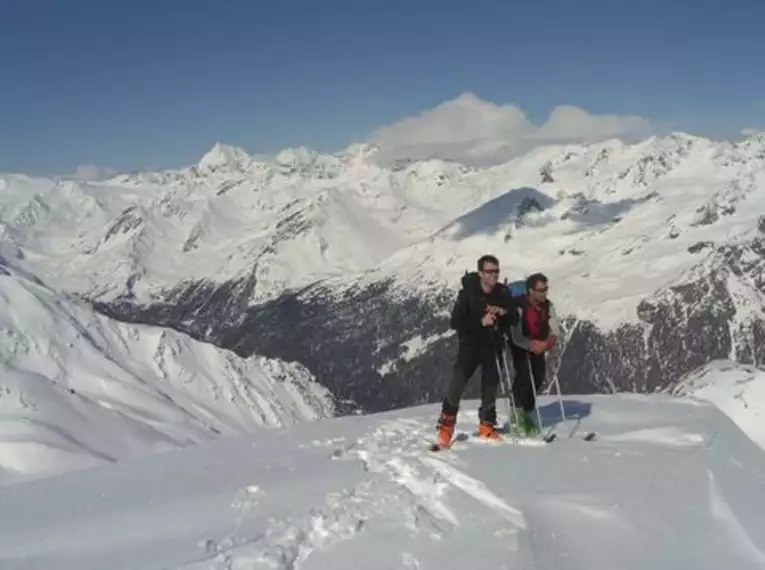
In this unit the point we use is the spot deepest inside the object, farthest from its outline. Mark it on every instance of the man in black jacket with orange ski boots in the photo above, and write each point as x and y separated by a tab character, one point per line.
482	316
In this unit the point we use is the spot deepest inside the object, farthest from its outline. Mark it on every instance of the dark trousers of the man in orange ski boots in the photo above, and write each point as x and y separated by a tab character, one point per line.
468	360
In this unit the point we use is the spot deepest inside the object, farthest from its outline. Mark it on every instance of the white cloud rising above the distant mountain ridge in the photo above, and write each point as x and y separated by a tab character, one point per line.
479	132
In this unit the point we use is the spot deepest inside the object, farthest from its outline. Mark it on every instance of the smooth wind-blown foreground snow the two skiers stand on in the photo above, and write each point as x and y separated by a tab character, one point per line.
670	483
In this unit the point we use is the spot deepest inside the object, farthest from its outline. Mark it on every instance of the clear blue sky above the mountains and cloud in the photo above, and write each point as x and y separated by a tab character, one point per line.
145	84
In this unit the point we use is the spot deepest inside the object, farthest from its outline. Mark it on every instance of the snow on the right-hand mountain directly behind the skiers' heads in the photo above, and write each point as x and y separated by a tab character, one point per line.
607	242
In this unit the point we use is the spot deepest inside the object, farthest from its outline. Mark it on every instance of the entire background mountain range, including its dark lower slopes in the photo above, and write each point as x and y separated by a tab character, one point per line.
654	250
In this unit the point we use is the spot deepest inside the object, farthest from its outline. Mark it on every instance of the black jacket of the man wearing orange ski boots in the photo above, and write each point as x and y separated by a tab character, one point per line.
470	308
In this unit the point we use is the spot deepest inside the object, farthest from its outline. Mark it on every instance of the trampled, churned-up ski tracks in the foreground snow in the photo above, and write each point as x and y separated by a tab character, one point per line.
403	483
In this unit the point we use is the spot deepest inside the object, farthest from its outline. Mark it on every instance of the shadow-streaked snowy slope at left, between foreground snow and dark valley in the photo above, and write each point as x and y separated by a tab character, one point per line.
78	389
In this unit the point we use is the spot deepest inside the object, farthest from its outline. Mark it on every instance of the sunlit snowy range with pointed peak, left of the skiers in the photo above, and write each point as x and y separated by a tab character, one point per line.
266	225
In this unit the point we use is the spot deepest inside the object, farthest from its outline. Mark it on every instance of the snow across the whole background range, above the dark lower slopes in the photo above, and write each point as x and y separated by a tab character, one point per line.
619	220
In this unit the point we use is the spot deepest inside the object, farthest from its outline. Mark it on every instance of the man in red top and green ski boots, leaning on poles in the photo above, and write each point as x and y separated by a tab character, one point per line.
533	333
